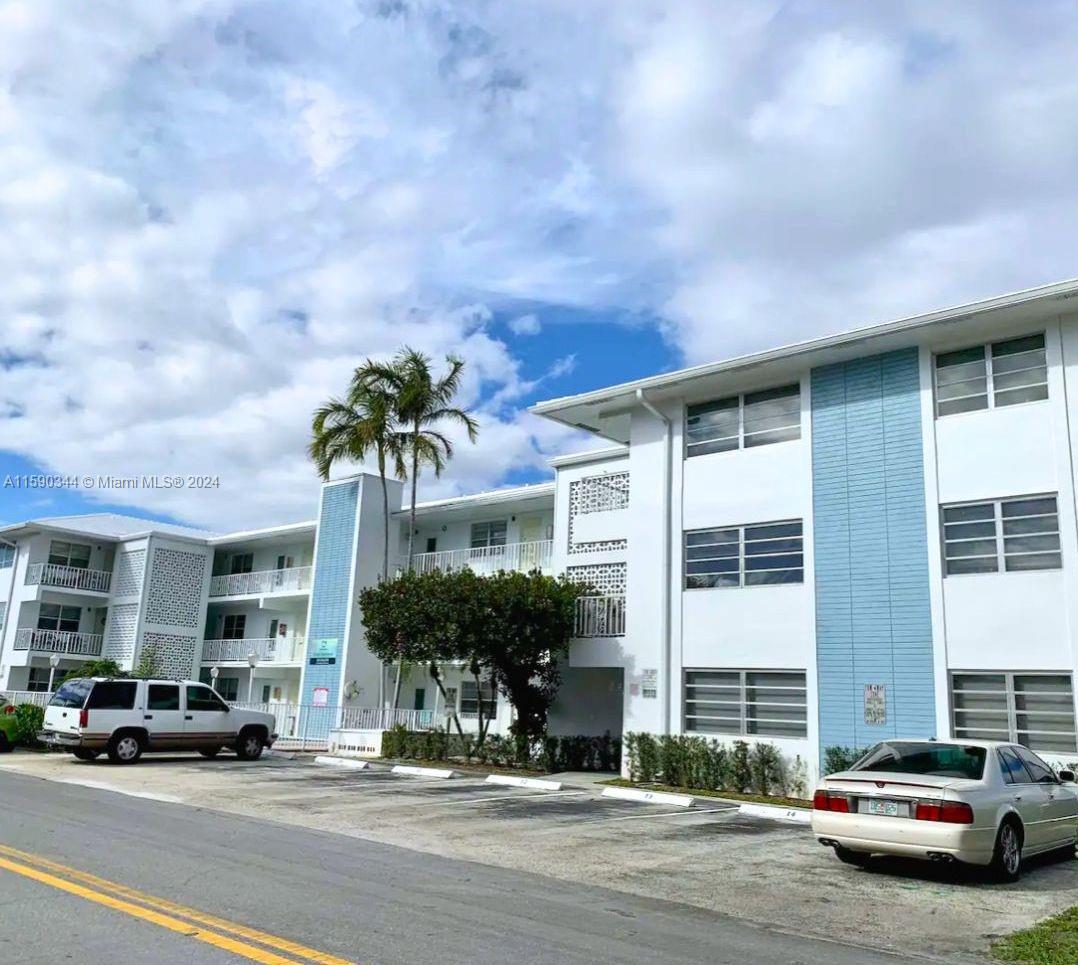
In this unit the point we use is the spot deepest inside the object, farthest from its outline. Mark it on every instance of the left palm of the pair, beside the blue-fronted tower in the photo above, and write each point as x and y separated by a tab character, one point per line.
353	429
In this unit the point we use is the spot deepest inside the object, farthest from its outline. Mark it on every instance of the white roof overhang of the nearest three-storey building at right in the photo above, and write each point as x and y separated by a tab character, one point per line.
606	412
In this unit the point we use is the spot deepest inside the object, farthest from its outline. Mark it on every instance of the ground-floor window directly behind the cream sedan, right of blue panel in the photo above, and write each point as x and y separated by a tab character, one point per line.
1034	710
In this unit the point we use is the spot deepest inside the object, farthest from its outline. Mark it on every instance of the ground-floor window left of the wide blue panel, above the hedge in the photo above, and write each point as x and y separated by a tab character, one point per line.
771	704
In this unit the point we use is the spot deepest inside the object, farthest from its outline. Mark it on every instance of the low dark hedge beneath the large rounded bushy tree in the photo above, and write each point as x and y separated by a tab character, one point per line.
551	754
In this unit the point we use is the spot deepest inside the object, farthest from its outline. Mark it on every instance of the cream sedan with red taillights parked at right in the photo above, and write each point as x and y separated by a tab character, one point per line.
983	803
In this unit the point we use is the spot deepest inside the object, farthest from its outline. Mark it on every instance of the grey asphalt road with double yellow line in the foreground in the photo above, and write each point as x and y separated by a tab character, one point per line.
311	892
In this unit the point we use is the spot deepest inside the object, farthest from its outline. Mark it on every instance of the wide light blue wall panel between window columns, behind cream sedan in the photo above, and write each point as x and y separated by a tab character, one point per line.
873	613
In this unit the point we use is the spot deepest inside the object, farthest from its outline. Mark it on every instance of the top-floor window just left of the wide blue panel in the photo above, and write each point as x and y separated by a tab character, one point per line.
743	422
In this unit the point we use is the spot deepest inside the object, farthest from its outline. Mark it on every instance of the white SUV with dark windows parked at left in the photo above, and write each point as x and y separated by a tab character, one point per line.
125	719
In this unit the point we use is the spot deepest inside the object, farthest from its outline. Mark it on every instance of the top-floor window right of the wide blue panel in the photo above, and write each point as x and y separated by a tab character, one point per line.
1003	374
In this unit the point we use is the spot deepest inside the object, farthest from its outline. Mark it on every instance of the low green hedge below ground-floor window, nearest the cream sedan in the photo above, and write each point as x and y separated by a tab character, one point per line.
690	762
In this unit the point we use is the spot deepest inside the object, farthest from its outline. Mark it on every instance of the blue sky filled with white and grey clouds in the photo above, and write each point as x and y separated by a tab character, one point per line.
214	210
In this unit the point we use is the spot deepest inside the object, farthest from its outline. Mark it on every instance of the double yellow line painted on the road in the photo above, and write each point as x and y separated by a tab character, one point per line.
232	938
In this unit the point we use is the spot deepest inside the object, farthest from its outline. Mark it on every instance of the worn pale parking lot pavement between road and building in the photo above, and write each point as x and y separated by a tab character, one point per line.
710	856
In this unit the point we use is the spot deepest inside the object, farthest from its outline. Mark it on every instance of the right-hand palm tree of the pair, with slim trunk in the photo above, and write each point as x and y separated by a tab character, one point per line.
423	405
